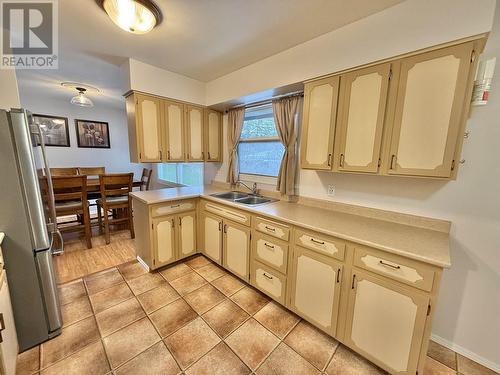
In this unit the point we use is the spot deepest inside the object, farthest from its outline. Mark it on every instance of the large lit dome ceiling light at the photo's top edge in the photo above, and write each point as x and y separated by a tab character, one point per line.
134	16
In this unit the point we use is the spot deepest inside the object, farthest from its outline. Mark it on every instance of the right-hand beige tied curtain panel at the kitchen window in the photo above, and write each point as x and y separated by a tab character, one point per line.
286	121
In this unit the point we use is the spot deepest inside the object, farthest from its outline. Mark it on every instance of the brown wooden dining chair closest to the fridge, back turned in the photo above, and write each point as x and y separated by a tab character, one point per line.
70	196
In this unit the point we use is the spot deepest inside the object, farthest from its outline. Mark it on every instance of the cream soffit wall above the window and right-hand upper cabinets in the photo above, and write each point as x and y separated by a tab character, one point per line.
406	27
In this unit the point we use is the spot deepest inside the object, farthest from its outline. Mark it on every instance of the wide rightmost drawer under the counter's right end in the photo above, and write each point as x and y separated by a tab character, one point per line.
408	271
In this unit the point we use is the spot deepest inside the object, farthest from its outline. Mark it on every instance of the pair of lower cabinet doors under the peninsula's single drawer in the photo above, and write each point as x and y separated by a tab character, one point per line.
174	237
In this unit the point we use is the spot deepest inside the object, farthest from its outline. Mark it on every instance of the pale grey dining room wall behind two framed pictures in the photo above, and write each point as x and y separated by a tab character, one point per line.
116	159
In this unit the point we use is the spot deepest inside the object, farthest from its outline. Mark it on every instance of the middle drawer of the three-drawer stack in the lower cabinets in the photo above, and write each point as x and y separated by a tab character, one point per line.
270	251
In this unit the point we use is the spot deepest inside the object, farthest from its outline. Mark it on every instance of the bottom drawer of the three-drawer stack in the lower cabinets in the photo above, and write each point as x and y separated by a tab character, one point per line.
269	281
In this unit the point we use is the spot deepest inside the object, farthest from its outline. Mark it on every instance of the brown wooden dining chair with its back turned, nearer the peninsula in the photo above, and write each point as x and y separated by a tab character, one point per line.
115	189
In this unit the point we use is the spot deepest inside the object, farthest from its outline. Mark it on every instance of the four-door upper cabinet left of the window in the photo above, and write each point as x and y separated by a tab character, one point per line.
162	130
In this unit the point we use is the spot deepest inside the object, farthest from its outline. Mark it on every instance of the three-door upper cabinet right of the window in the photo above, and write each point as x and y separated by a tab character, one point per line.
402	117
